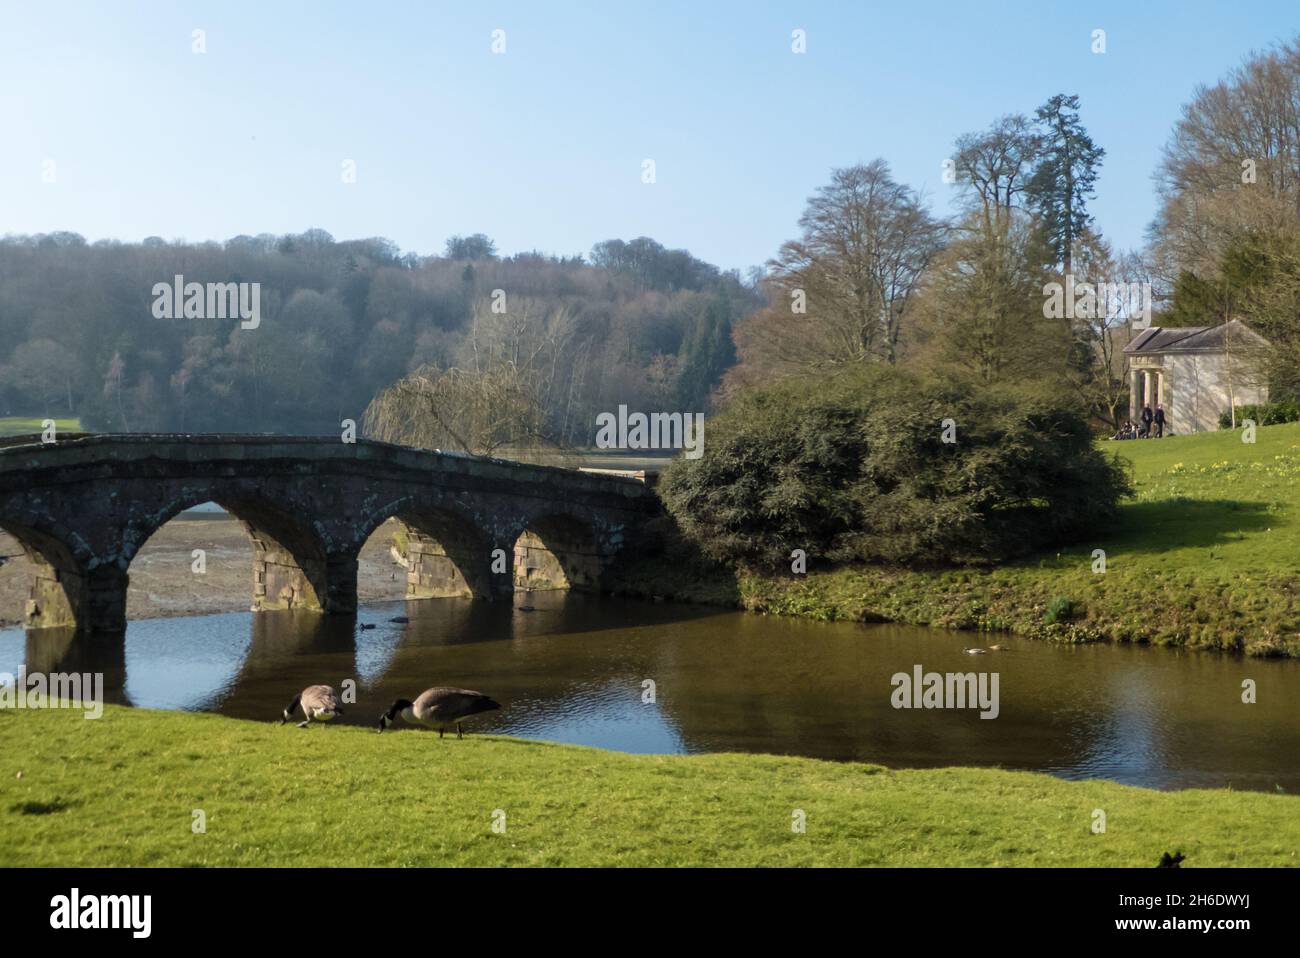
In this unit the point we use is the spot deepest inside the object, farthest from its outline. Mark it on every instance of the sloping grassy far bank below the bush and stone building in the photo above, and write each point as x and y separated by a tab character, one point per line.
1207	554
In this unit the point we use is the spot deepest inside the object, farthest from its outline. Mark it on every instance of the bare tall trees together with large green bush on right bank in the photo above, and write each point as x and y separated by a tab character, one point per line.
918	391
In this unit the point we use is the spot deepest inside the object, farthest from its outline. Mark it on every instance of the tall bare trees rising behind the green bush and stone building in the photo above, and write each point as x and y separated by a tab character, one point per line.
877	278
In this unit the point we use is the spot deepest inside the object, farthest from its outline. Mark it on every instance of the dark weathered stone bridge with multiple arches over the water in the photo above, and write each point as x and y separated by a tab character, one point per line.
83	508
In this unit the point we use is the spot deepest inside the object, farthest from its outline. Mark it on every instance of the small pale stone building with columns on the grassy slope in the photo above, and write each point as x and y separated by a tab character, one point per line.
1195	372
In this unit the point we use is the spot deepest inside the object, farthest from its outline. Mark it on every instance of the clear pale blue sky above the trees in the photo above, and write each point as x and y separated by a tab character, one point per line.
541	148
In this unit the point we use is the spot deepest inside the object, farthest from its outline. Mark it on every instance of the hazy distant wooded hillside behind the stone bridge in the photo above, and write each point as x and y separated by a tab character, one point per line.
340	322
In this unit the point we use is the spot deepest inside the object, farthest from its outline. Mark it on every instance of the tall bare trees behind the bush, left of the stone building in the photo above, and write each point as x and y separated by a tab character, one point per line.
877	278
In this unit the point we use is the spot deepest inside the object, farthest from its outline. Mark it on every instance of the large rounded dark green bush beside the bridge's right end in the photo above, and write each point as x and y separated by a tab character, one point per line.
853	467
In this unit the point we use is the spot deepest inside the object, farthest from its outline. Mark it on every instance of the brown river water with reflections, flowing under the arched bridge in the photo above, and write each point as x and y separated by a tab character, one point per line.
574	669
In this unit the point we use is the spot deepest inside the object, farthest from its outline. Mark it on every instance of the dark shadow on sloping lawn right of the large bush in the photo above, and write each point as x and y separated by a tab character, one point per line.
1169	524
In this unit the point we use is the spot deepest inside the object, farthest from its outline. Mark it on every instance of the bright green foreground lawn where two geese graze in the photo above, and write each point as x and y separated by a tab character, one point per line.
123	792
